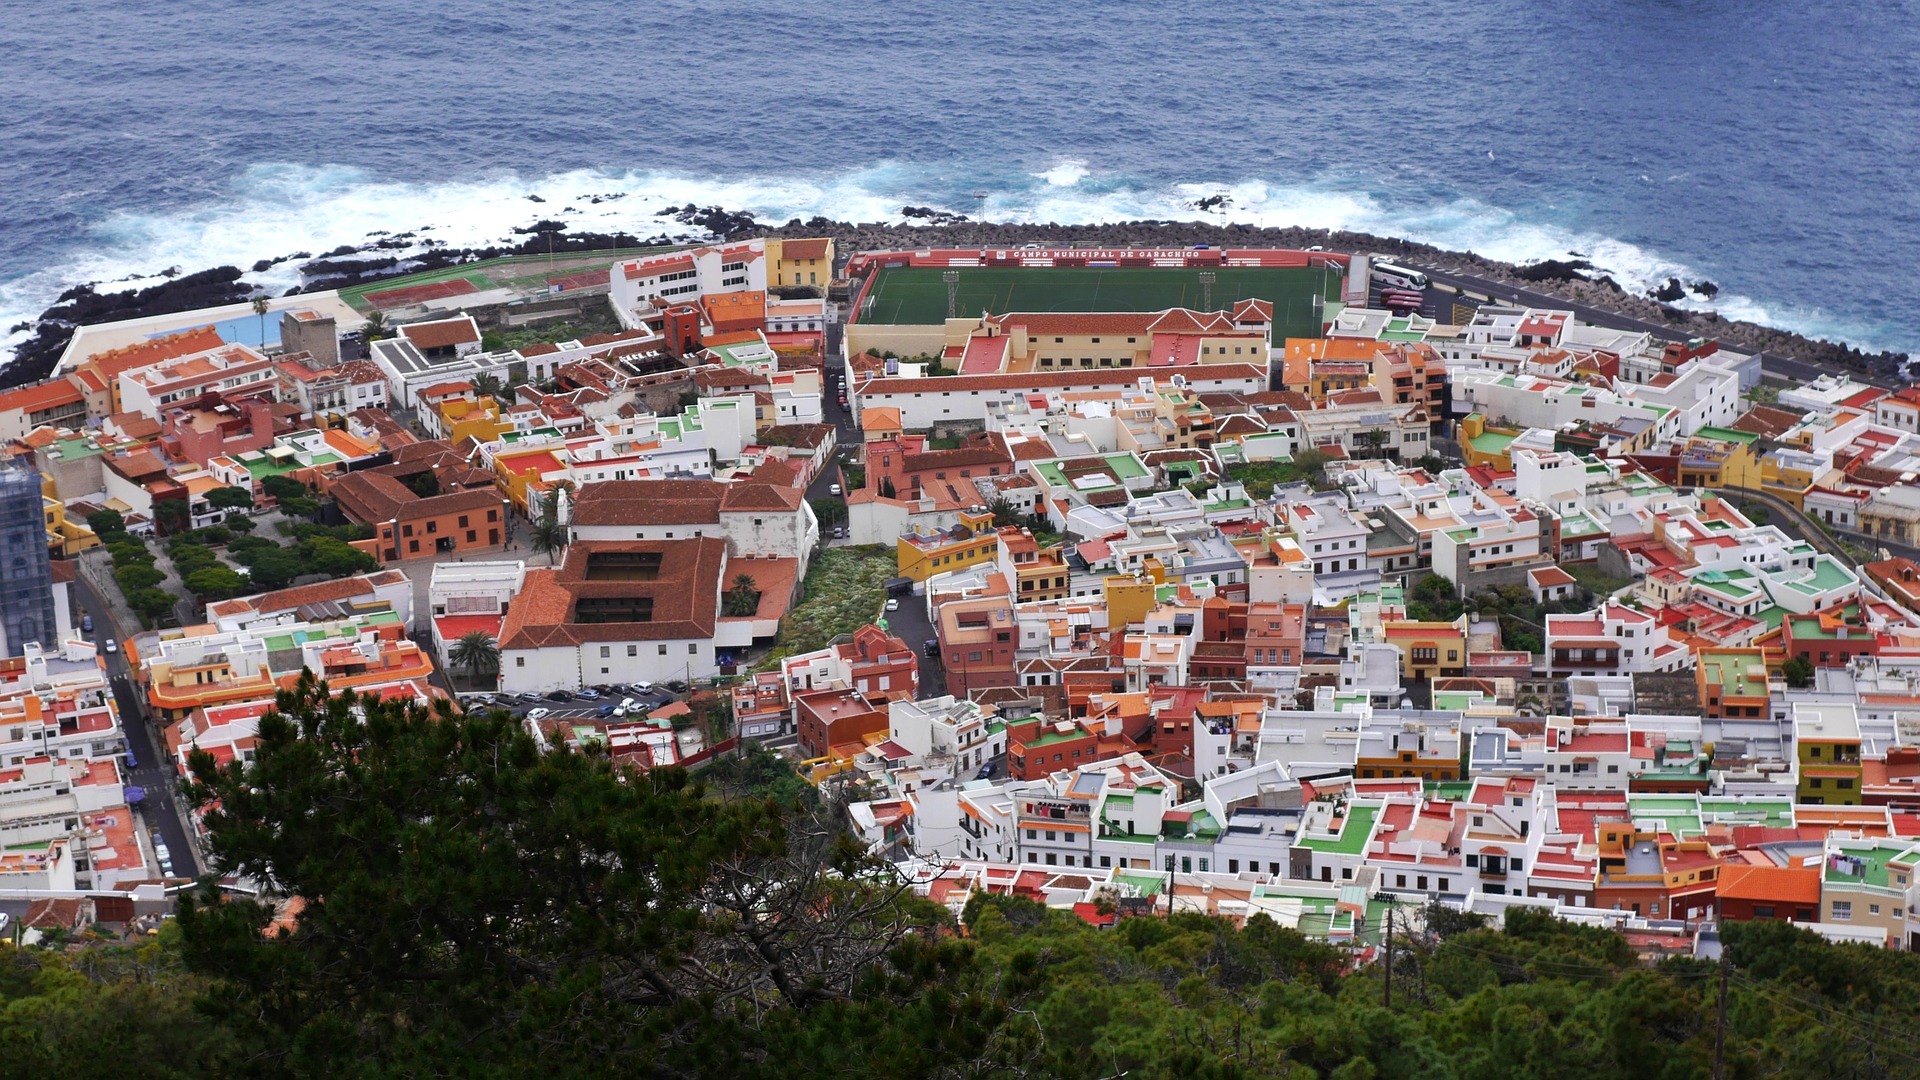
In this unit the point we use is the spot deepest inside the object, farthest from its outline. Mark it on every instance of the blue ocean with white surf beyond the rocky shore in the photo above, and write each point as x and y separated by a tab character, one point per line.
1771	149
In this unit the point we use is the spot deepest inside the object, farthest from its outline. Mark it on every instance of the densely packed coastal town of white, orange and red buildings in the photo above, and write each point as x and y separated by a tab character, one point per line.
1130	581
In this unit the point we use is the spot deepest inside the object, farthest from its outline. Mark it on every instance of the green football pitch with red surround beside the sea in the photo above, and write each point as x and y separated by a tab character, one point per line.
919	295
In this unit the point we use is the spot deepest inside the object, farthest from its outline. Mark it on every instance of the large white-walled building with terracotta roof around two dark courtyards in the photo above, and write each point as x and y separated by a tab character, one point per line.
617	612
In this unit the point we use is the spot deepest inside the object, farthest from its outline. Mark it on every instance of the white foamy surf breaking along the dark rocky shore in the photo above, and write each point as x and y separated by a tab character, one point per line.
279	209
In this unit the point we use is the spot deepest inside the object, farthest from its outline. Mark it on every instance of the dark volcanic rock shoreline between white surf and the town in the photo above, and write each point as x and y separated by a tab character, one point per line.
923	228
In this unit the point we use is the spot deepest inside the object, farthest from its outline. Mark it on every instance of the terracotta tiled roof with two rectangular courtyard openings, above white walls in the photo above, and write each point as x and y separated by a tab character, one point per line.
684	593
